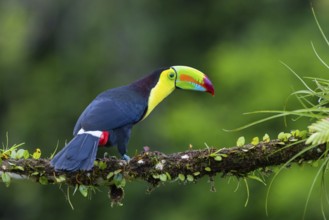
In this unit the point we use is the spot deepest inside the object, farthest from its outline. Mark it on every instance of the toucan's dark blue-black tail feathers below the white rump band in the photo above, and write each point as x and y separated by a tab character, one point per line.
78	154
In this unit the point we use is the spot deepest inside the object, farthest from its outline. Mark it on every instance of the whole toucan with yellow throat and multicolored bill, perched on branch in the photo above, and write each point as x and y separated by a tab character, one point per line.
109	118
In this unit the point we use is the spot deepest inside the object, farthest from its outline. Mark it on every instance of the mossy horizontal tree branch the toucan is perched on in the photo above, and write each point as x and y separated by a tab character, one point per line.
156	167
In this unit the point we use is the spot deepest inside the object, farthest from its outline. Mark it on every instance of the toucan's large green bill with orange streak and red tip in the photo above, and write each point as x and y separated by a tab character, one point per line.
192	79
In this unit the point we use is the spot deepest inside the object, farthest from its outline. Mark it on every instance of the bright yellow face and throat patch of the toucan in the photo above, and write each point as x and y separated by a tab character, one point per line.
161	90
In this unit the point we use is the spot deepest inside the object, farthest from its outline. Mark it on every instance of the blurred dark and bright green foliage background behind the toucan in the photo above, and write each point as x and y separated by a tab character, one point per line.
56	56
